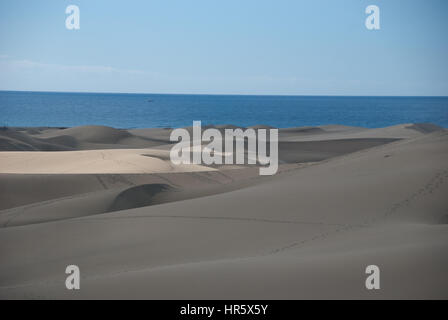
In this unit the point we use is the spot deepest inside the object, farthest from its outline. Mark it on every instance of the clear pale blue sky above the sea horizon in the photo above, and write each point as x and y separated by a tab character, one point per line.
275	47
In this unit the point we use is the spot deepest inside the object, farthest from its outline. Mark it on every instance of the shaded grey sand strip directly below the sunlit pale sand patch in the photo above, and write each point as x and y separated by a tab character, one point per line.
17	190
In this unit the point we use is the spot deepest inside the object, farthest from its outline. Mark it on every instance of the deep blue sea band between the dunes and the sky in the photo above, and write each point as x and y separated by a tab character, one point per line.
171	110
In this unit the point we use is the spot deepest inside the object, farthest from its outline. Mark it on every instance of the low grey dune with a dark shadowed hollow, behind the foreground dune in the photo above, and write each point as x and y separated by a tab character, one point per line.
117	198
